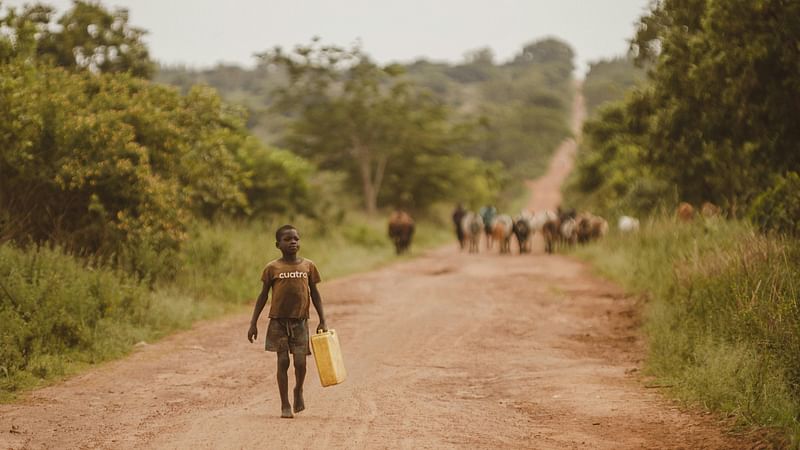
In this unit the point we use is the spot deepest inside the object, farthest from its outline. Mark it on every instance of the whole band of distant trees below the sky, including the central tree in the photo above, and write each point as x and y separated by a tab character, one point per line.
496	118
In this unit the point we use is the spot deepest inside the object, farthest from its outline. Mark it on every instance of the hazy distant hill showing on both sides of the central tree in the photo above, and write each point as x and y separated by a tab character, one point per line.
517	111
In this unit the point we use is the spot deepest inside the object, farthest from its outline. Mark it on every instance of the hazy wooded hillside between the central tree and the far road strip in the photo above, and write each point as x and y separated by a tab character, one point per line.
518	110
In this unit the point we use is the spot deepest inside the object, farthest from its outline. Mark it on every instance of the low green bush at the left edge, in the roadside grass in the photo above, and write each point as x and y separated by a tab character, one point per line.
53	307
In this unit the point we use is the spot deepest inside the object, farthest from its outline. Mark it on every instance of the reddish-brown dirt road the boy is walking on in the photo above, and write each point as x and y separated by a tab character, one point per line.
448	350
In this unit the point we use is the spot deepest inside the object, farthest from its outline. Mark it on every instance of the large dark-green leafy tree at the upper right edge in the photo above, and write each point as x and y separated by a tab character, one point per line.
716	121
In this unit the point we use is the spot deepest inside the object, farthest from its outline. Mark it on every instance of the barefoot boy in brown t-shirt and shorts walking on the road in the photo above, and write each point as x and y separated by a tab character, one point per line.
293	281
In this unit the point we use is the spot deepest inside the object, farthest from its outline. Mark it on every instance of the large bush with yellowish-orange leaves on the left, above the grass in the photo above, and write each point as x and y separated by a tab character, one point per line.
112	165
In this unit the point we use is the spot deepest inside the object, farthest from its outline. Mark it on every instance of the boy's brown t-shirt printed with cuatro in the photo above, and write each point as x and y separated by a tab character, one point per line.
291	294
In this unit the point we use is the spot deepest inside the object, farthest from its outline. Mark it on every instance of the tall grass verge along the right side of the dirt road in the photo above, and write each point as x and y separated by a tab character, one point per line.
722	315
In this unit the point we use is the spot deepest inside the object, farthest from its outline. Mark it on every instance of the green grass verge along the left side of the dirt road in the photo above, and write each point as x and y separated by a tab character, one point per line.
59	313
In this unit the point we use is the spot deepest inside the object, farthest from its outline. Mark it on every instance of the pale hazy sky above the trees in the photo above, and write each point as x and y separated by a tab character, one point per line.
202	33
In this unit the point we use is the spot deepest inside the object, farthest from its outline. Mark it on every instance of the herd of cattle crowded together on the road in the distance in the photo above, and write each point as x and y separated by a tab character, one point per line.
559	229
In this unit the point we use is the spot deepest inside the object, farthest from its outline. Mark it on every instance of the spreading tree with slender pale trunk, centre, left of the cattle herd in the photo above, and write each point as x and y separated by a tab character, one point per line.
353	115
